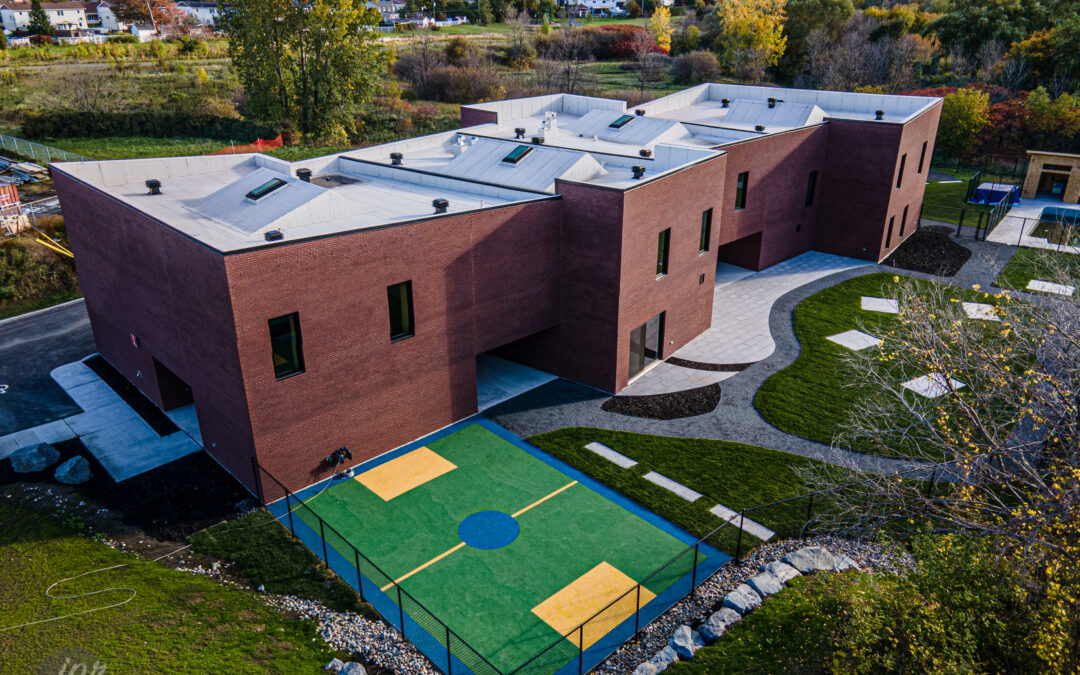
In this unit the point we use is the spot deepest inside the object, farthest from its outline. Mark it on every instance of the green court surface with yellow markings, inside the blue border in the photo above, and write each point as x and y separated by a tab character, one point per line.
488	597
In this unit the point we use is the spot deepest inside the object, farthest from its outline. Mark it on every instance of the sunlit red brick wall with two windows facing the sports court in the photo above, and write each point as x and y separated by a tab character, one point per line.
479	280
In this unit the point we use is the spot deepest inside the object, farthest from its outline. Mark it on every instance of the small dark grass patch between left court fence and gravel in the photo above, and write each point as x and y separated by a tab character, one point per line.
267	555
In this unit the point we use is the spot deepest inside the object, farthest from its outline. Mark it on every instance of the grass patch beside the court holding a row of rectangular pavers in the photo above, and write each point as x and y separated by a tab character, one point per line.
734	475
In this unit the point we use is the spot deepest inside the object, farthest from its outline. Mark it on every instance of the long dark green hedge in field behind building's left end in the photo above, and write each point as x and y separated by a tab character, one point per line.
153	124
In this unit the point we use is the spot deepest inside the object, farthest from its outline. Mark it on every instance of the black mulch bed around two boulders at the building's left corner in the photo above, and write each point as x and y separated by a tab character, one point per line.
169	503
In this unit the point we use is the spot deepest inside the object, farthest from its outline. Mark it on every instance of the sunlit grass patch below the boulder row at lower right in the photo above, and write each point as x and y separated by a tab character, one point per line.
793	632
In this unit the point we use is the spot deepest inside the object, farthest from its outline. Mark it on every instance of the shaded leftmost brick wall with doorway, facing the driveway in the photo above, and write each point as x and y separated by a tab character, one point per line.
144	279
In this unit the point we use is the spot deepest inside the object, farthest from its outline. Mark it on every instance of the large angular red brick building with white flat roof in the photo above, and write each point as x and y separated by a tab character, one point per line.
344	301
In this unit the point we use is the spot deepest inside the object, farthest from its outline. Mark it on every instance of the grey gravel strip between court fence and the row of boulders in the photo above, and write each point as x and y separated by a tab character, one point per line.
869	557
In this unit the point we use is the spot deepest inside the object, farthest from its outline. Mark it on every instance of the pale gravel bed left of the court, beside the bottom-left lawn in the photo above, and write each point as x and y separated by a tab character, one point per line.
374	642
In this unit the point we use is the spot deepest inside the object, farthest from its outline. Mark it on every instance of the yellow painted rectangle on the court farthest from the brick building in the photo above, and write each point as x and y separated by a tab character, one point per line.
586	597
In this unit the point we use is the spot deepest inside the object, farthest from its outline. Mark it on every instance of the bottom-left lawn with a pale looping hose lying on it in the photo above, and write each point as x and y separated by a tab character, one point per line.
177	623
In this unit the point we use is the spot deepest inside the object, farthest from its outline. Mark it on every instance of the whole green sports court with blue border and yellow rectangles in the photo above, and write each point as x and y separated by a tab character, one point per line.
508	547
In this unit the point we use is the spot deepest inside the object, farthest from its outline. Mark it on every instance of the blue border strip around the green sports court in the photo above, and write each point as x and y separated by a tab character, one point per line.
433	646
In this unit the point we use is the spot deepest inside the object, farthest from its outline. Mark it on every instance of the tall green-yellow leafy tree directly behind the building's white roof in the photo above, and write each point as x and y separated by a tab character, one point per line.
315	63
